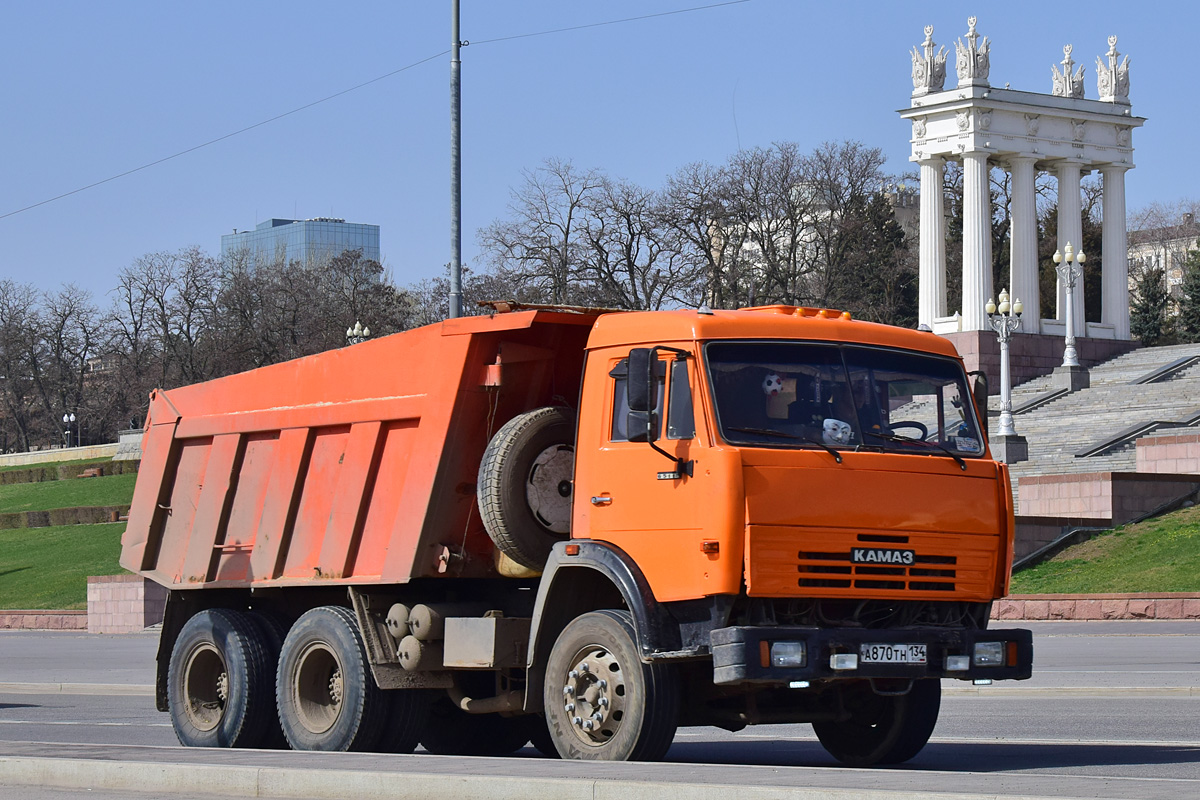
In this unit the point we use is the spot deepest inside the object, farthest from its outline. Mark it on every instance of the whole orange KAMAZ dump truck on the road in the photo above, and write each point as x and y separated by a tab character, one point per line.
580	530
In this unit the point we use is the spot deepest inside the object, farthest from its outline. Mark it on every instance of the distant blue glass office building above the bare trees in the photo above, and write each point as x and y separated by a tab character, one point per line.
309	242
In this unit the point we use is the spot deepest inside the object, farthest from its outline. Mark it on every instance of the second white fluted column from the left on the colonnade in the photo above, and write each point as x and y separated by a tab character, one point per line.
976	242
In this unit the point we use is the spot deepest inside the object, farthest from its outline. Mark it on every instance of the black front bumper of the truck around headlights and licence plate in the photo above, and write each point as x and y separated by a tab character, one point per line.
741	654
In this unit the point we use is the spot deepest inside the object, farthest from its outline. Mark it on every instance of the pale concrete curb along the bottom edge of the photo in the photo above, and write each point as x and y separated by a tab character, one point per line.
338	785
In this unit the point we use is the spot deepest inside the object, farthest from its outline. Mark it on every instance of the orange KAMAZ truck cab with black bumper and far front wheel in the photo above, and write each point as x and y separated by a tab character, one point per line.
809	504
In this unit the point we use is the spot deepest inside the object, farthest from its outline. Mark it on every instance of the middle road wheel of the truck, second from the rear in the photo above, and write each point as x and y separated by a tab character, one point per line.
327	697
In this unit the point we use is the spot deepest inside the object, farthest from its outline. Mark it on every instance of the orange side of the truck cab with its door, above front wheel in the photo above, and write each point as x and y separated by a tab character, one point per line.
674	526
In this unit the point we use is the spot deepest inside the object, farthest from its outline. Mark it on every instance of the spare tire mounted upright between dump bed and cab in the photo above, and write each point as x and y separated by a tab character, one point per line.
526	484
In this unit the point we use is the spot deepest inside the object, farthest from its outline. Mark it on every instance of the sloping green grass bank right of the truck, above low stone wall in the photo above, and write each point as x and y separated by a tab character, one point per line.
1161	555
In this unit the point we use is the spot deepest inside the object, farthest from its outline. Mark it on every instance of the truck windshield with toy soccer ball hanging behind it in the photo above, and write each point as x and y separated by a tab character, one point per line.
807	395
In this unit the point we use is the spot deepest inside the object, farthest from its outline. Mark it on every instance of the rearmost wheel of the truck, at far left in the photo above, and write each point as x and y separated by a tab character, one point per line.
219	682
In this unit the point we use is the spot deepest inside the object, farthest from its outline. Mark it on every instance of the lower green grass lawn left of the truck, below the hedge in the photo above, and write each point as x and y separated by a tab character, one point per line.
49	568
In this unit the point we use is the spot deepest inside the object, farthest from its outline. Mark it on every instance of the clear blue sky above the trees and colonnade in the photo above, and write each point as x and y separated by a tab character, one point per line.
92	91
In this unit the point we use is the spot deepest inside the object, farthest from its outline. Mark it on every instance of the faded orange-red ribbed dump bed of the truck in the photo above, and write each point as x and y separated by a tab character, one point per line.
355	466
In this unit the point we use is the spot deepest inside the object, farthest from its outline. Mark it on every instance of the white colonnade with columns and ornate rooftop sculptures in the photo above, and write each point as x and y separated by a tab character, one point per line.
1064	135
